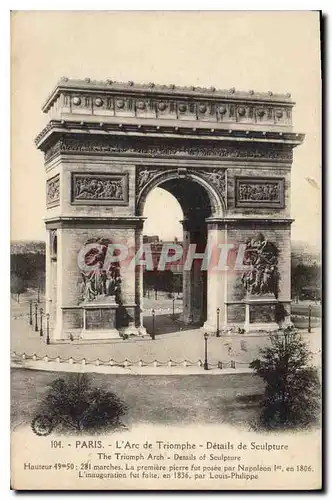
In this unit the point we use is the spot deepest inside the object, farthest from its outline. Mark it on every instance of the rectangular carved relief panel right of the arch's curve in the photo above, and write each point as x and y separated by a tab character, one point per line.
259	192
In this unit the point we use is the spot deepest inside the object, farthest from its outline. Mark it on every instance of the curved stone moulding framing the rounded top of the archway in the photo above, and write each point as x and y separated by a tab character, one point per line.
215	196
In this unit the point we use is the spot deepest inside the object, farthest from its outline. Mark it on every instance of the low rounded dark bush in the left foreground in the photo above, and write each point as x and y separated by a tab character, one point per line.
79	407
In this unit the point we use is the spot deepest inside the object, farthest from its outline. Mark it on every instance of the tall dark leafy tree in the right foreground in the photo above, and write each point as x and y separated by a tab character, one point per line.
292	388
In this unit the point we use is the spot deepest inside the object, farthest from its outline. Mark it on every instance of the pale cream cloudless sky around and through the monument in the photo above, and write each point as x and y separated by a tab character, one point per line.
276	51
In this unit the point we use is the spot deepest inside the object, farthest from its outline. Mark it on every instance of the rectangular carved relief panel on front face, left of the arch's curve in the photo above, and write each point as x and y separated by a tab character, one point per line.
103	189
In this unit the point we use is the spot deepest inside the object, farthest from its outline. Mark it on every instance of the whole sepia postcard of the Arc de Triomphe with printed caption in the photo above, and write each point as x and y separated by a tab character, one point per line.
165	254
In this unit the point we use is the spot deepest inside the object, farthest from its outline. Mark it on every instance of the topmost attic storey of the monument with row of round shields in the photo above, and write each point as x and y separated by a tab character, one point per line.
111	100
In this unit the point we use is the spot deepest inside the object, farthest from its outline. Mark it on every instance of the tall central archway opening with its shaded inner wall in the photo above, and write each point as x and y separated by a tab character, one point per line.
175	298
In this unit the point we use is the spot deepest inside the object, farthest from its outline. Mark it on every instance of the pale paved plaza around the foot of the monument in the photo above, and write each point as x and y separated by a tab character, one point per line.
173	342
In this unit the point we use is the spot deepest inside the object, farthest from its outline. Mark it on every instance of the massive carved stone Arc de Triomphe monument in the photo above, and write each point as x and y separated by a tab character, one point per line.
225	155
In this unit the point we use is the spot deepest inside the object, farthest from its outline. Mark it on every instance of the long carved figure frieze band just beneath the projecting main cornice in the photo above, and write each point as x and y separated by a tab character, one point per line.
169	148
